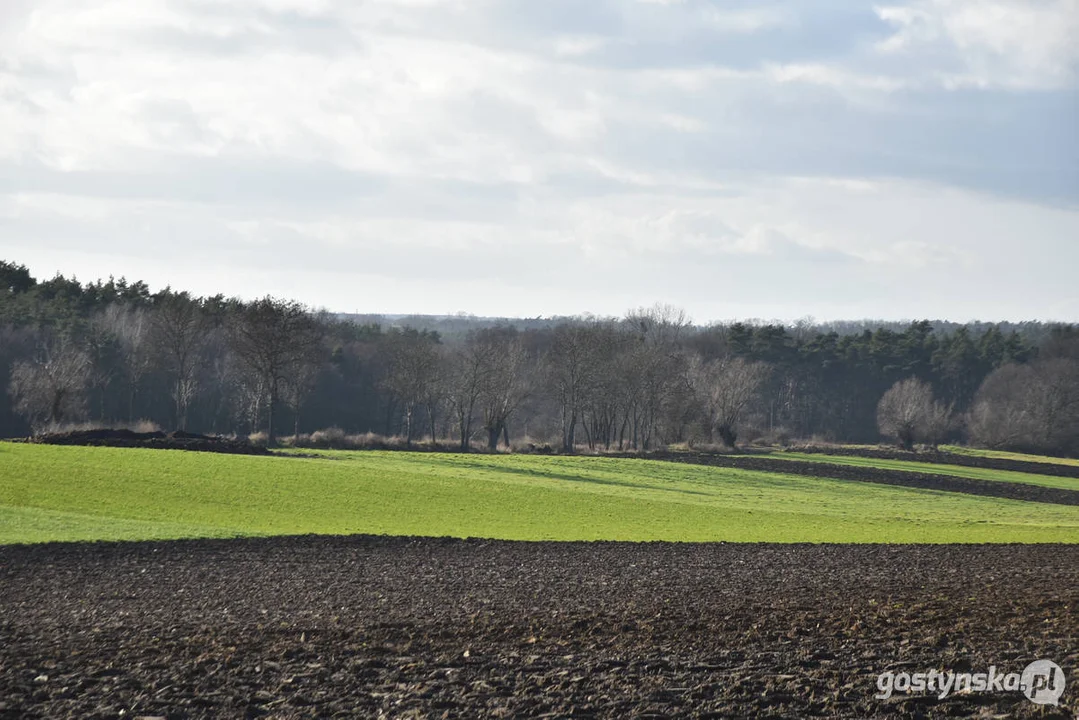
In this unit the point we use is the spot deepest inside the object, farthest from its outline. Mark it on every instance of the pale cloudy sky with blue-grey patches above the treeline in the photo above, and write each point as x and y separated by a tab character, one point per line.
513	158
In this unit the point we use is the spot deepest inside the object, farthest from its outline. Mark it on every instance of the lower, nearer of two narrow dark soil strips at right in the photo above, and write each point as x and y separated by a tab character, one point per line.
884	477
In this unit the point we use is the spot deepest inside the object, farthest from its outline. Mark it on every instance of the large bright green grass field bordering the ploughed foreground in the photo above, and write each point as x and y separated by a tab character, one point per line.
52	493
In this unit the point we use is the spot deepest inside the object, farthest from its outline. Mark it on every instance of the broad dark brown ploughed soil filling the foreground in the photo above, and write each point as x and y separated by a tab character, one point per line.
349	628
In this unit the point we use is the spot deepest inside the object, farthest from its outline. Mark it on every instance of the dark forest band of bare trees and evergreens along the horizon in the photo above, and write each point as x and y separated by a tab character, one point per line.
115	354
